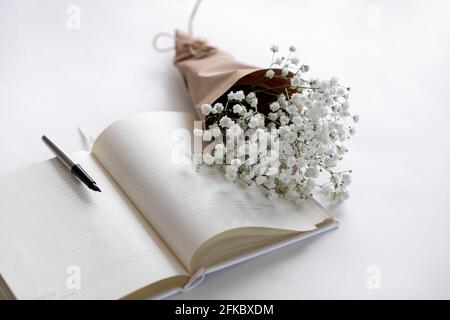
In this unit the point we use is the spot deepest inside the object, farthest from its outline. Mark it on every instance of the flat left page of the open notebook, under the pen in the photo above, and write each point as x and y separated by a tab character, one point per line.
53	229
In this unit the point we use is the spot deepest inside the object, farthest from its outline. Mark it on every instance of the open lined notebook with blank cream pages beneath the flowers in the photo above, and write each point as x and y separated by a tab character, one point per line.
157	228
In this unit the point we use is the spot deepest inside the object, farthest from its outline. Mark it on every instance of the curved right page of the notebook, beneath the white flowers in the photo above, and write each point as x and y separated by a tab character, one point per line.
187	207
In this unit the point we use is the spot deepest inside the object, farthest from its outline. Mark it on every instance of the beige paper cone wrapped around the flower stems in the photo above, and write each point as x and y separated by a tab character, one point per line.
209	72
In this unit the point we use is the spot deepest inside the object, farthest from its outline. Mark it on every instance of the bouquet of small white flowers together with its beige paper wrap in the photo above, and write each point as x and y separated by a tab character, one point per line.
270	128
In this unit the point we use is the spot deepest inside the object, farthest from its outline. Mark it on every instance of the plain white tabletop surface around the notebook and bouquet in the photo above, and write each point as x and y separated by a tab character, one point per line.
394	54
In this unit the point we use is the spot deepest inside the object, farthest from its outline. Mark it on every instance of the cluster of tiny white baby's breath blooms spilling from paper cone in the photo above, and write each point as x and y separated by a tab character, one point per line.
283	138
